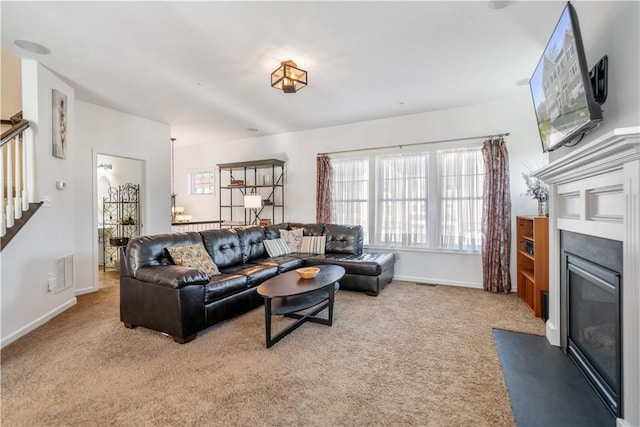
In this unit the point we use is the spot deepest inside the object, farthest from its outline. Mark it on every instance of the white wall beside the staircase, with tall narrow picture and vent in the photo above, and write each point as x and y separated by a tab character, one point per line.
29	257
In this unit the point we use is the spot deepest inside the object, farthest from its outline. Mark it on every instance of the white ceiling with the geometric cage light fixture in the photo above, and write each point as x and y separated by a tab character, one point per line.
204	67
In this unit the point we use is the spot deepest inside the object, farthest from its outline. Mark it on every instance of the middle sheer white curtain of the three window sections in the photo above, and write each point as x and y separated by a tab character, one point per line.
401	217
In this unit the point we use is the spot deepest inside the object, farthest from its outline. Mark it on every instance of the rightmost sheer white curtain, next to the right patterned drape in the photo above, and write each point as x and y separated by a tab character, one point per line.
461	174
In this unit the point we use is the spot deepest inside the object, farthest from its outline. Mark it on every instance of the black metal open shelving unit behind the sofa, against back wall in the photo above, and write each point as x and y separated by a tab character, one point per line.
263	179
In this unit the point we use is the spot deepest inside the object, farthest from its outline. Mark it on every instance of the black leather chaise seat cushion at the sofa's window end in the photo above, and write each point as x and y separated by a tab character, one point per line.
368	264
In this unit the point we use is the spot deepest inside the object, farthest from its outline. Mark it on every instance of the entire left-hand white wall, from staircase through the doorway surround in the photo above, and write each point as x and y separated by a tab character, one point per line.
69	226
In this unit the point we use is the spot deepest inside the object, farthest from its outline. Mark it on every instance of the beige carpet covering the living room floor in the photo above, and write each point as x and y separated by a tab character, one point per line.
415	355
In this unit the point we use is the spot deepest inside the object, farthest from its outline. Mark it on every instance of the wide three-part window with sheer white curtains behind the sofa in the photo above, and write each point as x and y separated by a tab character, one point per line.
427	199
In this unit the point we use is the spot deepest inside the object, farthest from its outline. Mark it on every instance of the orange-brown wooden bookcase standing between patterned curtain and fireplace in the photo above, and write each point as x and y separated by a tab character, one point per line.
533	260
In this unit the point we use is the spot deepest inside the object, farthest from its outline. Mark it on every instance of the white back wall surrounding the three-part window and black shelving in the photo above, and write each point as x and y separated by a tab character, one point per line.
299	150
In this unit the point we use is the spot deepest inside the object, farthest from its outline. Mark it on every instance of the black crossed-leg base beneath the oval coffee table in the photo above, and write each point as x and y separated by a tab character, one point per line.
291	306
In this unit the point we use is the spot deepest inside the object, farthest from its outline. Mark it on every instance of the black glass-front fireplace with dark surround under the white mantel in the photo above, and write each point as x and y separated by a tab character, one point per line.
592	318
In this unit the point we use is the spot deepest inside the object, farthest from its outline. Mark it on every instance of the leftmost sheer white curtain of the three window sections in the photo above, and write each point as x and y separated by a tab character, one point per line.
351	193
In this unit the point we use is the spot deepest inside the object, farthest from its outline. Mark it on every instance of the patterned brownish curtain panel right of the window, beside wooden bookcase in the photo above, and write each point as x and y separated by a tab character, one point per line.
496	217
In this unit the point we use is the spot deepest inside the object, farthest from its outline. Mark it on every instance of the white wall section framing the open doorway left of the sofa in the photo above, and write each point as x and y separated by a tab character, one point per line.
100	130
